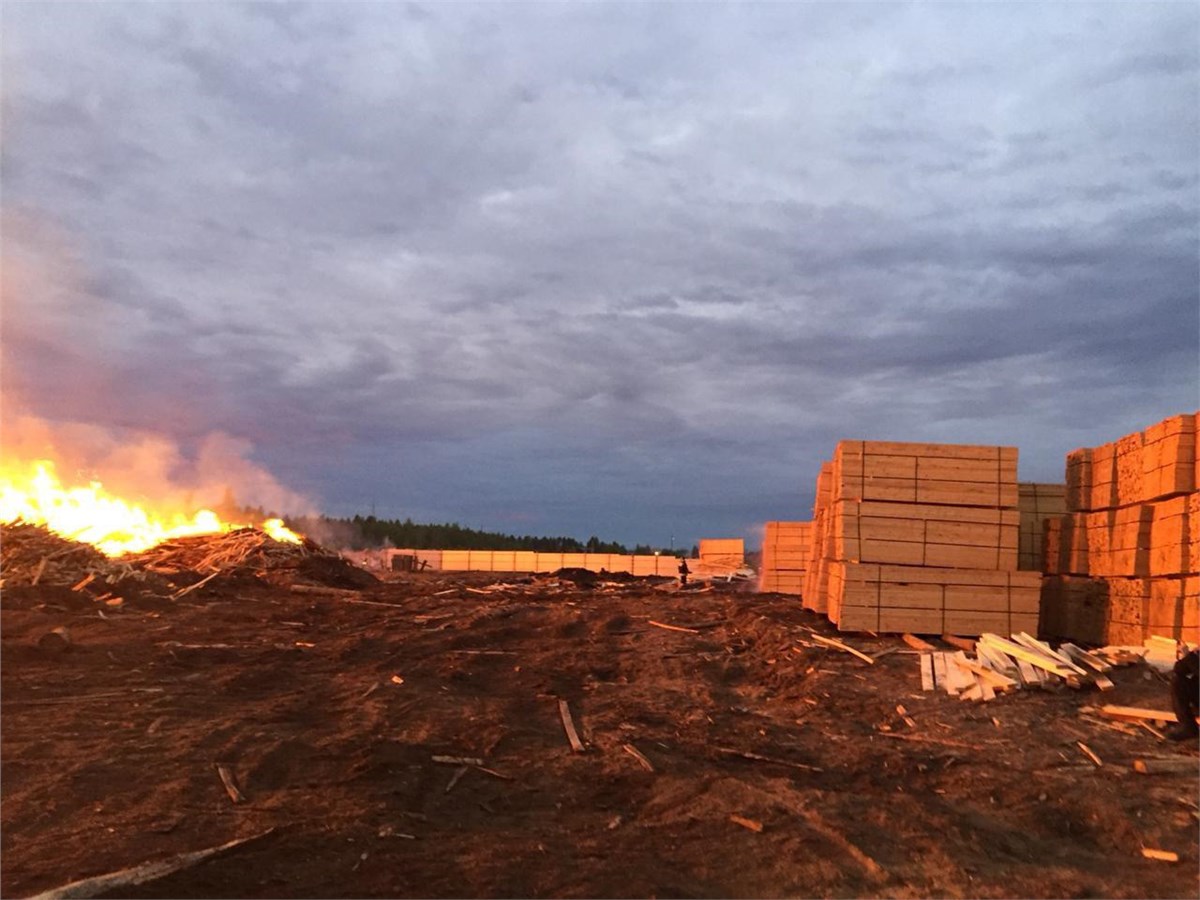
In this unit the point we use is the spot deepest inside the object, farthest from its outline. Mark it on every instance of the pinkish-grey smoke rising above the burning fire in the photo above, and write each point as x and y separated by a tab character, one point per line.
64	397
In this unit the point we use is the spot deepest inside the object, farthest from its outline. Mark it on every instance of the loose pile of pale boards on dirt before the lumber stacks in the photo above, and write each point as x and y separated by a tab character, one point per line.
1019	662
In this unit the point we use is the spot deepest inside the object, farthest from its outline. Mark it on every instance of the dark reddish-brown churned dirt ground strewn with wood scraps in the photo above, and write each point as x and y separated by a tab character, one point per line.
328	716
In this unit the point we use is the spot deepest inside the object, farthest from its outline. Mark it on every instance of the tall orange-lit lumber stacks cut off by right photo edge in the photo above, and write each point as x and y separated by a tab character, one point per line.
1124	565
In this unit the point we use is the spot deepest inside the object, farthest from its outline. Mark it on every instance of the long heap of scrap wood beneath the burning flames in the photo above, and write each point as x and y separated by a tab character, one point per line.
32	555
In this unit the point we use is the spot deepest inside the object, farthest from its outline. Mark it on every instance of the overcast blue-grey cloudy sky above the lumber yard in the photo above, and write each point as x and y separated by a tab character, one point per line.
625	271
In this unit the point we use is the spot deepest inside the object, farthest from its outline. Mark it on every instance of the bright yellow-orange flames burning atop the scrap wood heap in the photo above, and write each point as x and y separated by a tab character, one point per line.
34	494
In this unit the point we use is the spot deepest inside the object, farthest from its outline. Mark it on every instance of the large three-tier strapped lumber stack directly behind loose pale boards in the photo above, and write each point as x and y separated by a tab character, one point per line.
922	538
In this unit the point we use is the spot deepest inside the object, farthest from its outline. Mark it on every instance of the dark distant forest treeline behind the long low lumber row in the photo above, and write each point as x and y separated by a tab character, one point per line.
368	532
